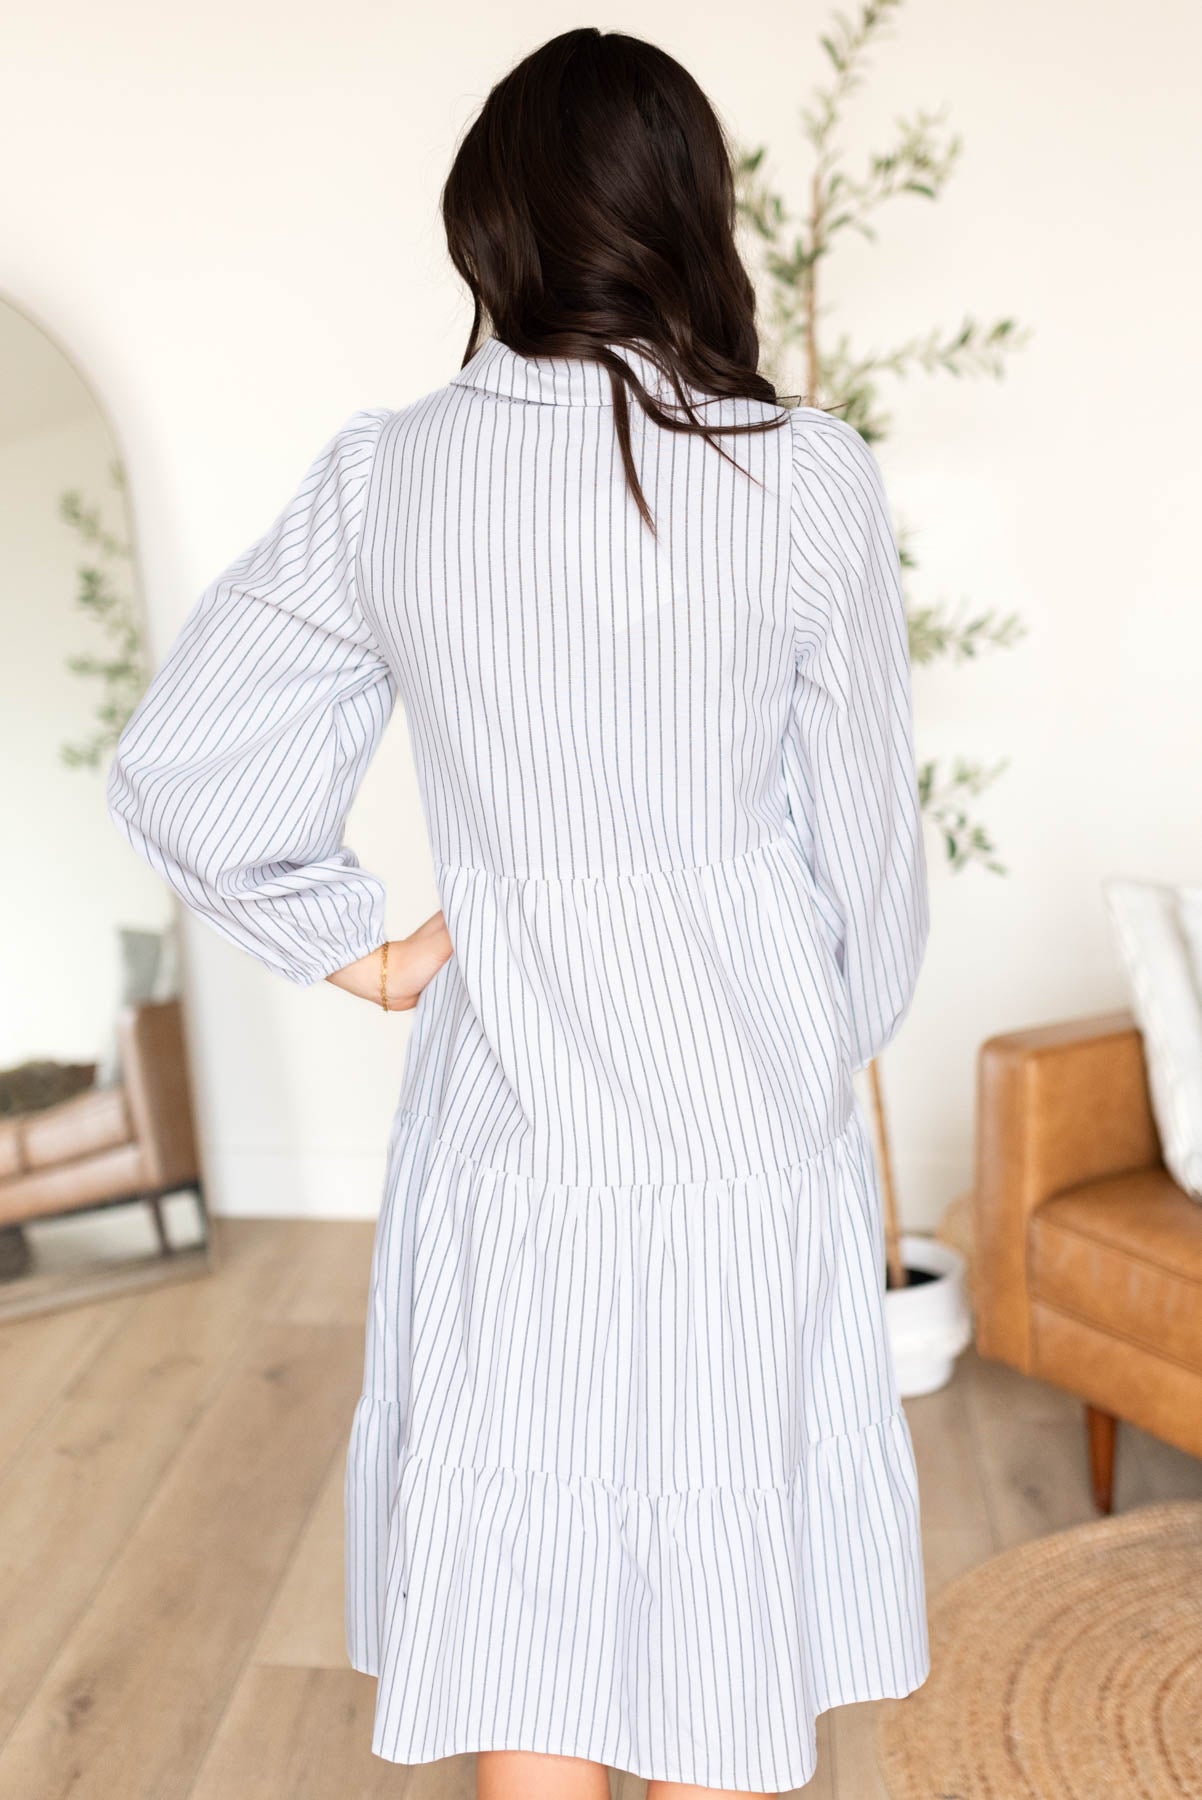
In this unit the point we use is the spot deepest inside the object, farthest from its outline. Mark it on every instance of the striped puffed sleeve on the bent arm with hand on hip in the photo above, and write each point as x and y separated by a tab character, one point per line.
240	764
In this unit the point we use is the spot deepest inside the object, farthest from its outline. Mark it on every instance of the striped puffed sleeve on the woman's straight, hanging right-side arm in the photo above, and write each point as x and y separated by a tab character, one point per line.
850	755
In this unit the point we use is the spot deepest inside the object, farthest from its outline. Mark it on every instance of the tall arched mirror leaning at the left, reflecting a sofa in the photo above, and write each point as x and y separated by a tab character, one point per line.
100	1178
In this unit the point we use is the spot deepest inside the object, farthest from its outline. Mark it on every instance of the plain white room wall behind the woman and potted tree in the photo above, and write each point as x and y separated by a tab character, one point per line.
231	217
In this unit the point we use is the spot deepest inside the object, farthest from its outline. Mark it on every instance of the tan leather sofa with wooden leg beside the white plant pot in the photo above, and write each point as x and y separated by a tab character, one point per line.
1088	1257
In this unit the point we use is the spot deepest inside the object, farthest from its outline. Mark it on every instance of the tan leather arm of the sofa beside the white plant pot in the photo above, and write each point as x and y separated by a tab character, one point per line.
1057	1106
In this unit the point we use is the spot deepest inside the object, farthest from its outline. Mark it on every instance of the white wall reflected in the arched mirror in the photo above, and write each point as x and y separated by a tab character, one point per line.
66	881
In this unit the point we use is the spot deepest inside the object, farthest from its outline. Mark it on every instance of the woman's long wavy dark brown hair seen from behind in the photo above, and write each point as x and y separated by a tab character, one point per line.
591	206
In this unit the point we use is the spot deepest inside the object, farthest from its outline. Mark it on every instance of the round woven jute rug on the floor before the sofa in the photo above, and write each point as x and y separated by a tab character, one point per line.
1070	1669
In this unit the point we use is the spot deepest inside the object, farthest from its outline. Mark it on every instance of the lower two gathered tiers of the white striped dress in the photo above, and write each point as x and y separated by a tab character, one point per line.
629	1479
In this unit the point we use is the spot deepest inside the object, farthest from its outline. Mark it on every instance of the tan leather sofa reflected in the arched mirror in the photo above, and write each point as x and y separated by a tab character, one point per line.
134	1142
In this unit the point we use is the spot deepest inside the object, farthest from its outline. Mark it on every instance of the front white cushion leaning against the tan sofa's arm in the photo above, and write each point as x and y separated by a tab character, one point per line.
1160	933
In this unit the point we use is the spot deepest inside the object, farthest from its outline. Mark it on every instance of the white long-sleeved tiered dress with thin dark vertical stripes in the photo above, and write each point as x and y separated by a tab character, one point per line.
629	1479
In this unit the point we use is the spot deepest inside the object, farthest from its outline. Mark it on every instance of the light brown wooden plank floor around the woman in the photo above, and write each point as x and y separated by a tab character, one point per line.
172	1534
